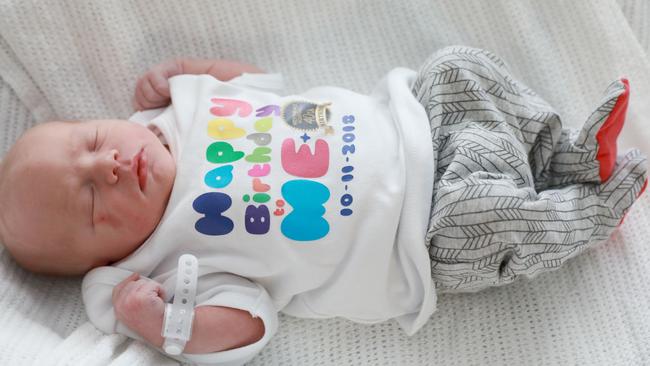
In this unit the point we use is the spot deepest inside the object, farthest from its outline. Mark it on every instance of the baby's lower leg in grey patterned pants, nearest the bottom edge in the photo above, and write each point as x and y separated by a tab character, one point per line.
486	231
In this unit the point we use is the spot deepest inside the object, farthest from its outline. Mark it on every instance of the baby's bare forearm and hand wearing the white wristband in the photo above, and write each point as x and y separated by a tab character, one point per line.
139	305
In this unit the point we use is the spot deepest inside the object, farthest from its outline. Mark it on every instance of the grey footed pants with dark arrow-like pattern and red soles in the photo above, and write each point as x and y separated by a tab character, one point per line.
515	194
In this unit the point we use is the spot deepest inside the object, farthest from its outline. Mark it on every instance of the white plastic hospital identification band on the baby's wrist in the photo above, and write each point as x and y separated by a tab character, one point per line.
177	324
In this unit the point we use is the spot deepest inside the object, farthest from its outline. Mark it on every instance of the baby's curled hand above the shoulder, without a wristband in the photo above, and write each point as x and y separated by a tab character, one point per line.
152	89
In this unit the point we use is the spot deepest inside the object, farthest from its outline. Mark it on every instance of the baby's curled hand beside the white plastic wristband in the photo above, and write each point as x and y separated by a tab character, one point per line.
139	304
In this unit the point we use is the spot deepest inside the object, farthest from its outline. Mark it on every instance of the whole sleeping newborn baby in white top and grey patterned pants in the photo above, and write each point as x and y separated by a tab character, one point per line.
328	203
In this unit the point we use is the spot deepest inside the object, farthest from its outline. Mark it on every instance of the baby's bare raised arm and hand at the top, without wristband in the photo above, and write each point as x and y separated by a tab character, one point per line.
152	89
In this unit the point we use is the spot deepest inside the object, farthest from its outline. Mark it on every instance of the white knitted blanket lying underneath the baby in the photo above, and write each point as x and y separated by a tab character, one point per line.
80	59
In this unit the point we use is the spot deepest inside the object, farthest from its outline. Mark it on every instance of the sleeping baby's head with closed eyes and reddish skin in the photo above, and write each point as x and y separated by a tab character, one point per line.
77	195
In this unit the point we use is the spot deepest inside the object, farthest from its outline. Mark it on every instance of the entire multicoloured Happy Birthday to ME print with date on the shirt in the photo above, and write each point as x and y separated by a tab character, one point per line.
244	139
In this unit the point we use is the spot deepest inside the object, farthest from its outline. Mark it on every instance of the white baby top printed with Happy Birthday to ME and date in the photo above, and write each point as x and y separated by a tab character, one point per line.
315	205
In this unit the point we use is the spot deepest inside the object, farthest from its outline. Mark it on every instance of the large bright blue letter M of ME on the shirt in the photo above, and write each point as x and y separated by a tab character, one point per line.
306	221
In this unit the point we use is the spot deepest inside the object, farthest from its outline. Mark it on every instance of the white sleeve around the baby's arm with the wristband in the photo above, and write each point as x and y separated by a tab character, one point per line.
215	289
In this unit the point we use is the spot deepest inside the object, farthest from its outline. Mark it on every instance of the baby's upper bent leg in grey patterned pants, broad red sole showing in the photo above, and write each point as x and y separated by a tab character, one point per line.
461	85
